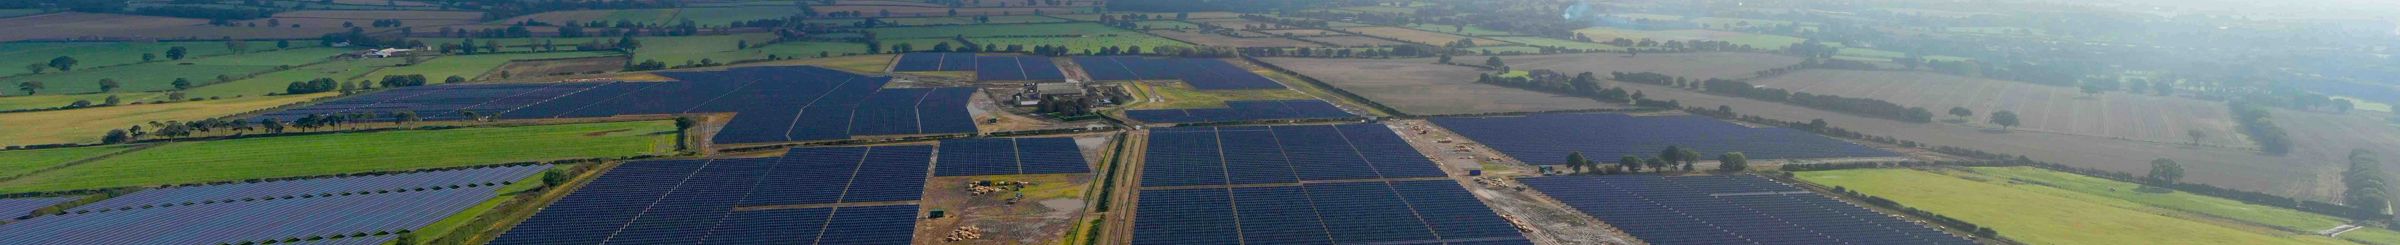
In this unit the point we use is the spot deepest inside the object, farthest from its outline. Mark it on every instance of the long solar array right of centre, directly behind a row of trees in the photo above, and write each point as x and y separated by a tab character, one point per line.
1607	136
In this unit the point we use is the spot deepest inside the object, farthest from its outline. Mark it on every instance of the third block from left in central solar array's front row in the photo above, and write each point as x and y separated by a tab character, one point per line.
1367	213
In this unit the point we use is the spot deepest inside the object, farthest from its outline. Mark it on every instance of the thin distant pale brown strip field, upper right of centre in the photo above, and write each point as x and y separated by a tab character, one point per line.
1693	66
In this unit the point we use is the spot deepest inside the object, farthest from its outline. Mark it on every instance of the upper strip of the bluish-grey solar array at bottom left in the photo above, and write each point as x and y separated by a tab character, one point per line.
316	189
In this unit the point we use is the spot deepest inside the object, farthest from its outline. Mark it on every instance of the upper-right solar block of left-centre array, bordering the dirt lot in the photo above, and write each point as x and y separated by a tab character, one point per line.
892	174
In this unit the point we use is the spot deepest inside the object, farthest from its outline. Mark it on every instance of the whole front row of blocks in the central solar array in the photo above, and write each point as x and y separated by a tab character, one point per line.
1415	213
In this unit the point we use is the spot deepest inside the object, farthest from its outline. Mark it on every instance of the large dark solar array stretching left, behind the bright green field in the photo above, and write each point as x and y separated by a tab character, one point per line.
769	104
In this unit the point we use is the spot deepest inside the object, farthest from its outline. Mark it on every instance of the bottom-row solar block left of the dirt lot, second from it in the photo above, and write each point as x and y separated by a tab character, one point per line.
769	227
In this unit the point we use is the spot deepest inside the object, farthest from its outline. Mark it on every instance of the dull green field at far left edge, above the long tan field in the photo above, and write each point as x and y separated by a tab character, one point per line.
162	76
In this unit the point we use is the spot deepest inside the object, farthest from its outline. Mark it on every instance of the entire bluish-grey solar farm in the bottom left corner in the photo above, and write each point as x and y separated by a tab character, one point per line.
361	210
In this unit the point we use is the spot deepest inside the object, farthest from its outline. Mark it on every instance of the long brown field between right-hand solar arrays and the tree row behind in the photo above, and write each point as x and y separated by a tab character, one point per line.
2300	174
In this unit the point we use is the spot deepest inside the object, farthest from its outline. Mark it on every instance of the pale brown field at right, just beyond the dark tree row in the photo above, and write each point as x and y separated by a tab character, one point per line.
2044	109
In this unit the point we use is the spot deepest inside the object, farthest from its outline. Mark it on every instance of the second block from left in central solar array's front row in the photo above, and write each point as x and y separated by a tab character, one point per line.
1278	217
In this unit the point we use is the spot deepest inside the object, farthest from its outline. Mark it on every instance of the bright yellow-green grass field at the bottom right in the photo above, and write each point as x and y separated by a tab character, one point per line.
2044	215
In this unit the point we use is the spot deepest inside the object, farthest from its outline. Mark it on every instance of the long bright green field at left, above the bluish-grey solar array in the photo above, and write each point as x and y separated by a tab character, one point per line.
359	153
